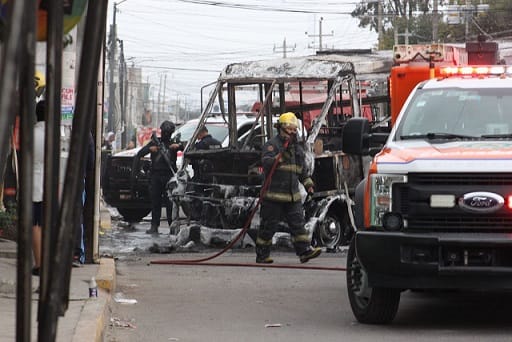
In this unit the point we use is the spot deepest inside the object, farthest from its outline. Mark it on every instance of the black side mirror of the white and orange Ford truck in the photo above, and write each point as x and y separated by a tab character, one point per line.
356	136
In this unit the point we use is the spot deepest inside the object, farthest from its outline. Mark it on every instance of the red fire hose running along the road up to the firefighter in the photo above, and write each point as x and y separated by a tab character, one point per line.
245	228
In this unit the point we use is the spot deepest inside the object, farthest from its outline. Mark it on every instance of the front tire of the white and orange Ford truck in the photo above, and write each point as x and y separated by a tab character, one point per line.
369	305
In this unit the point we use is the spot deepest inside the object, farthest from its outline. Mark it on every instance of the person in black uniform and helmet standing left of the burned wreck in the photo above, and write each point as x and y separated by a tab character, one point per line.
163	165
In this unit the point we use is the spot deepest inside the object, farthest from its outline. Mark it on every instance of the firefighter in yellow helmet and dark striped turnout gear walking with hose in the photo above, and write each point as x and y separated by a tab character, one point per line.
282	200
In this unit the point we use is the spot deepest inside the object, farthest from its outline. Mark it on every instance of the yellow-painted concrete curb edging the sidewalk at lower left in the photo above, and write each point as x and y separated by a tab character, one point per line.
91	324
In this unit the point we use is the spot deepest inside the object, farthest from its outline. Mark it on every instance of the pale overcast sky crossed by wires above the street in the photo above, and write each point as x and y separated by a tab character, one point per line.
184	44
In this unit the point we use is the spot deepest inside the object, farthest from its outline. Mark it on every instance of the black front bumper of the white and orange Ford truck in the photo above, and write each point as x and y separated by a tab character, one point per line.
436	260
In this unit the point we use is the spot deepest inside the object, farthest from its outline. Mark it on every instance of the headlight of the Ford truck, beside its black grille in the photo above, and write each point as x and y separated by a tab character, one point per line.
381	195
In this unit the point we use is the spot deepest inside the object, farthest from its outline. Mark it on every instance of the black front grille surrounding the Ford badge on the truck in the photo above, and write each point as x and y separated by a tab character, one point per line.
413	201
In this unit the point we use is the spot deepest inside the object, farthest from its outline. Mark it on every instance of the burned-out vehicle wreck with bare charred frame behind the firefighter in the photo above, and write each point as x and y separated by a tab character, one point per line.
226	182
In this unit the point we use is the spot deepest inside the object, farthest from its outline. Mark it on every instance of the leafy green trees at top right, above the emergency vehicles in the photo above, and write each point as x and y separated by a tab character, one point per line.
412	21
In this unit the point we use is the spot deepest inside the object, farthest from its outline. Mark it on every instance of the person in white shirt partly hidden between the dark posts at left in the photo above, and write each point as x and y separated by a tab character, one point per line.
38	181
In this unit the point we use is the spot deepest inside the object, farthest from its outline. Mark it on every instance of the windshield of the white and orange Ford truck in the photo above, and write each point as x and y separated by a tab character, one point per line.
456	113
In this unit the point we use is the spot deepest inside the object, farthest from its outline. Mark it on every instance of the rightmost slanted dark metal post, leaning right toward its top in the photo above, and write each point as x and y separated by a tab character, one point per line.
89	64
